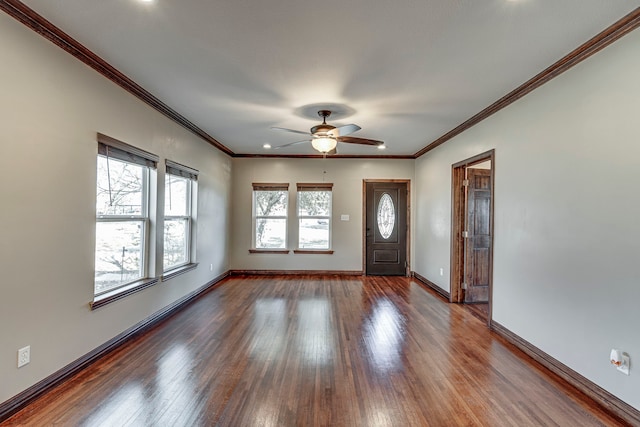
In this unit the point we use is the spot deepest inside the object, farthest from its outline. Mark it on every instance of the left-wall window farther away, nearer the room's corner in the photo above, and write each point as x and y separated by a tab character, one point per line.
179	193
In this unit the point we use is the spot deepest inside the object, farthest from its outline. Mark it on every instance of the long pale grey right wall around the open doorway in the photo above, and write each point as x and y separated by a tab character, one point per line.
566	214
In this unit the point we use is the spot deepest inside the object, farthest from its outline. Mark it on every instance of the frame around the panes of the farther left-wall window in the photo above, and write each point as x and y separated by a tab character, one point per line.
191	175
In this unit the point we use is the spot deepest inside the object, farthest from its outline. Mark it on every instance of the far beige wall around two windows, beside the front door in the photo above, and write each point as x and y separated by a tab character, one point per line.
345	174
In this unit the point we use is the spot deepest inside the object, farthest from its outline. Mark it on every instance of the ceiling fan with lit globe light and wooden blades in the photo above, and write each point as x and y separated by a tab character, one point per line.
325	138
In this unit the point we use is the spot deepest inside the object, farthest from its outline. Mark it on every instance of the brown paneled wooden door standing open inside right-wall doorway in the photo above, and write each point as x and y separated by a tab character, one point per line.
478	236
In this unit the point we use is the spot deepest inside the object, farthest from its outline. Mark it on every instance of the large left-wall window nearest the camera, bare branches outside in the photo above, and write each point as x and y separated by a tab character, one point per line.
122	214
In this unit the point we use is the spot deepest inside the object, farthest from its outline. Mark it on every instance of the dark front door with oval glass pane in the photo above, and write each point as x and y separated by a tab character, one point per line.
386	228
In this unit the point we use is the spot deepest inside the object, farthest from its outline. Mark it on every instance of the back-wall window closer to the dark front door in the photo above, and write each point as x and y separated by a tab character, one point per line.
314	216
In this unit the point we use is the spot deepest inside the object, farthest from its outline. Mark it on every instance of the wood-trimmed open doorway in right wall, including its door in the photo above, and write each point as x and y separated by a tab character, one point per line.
472	233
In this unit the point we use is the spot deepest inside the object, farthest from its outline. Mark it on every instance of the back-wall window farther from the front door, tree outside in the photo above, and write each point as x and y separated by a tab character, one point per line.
270	204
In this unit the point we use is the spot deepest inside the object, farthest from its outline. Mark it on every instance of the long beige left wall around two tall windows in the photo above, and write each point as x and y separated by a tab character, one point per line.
51	107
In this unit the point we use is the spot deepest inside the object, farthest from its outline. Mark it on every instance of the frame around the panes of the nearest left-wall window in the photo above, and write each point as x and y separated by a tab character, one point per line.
111	148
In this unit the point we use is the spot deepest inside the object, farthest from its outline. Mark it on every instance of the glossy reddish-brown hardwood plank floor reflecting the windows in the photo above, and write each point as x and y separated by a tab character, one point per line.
316	351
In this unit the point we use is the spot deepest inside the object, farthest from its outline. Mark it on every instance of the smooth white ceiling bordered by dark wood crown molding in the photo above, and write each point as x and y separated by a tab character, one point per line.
410	70
